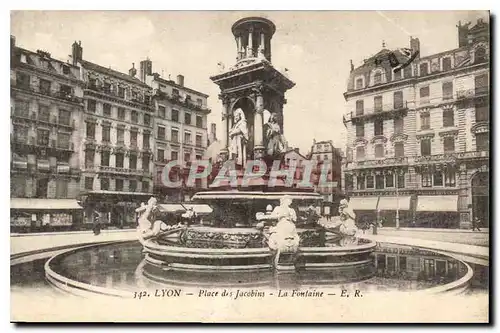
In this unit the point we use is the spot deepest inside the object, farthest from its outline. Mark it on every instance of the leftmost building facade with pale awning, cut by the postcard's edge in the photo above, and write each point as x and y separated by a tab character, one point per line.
46	112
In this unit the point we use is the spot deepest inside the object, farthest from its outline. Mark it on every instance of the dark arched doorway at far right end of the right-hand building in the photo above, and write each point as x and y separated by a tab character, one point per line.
480	198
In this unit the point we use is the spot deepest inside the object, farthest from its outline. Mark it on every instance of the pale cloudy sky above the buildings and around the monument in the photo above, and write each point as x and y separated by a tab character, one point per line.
315	46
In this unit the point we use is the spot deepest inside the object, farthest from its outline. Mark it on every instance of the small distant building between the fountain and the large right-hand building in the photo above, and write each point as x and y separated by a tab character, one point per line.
324	153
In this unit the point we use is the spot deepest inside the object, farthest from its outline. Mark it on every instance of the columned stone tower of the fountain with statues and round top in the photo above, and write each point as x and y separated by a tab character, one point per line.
250	90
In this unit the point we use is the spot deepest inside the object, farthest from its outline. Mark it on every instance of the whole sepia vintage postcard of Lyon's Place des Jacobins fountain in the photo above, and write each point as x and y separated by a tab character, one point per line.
262	167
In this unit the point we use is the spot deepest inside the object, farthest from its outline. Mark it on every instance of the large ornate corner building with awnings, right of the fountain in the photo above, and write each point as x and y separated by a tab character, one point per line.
418	138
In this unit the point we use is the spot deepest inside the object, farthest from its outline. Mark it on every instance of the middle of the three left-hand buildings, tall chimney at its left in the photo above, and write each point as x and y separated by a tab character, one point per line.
116	153
